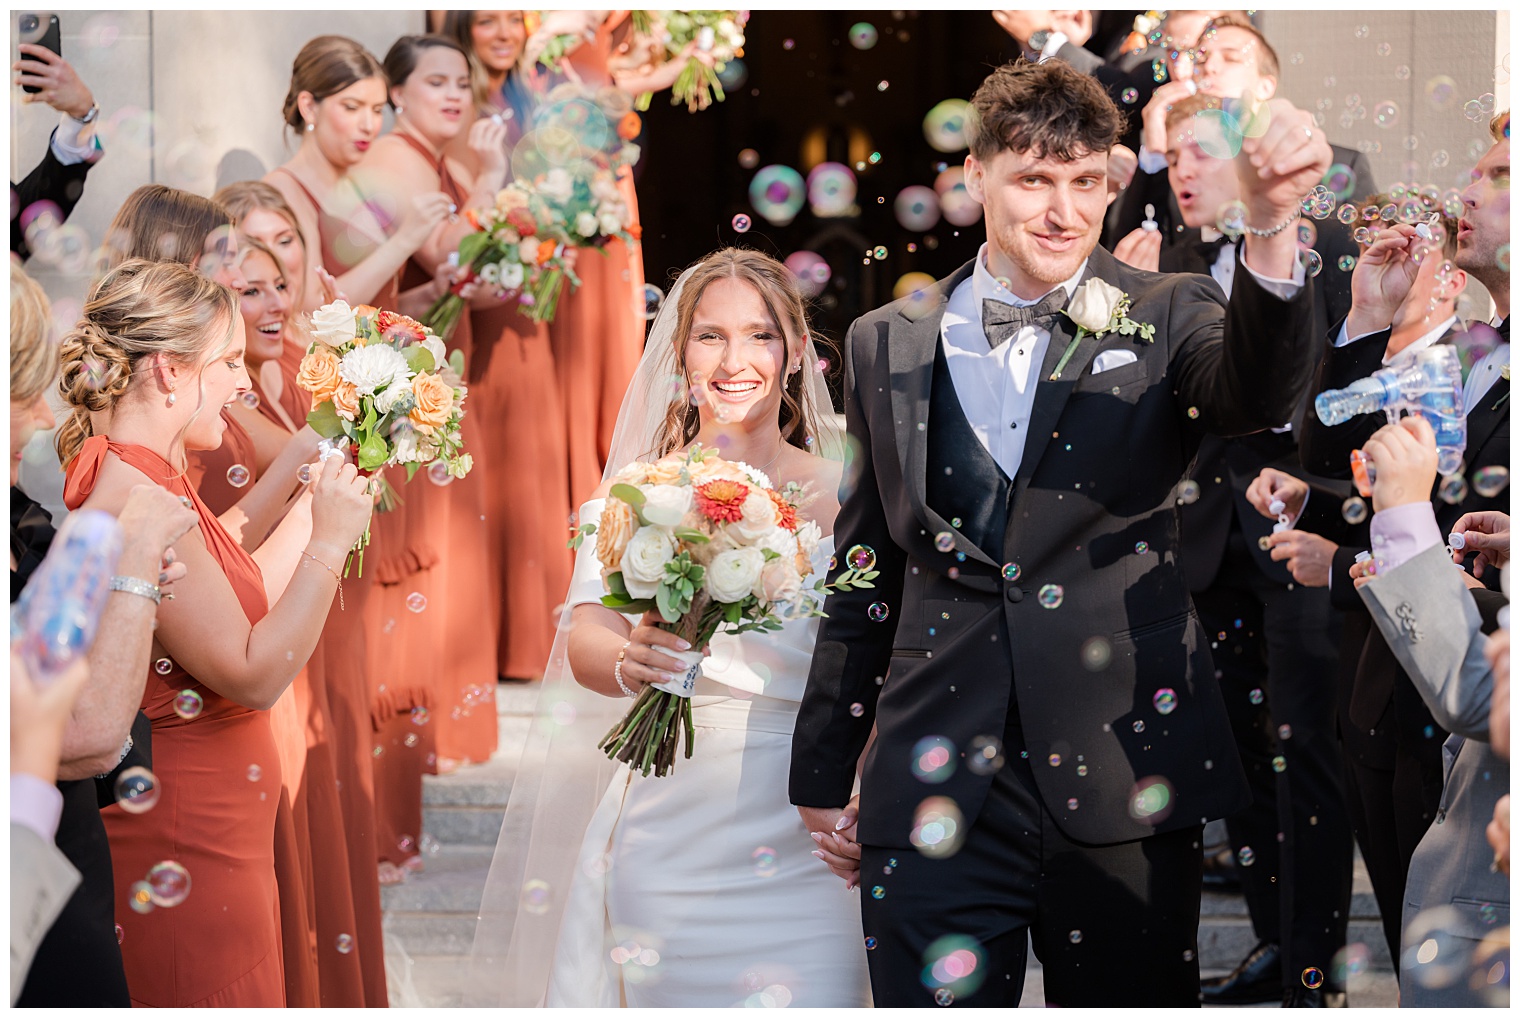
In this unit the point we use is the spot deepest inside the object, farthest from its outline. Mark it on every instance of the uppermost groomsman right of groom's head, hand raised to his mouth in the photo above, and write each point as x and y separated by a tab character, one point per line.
1230	60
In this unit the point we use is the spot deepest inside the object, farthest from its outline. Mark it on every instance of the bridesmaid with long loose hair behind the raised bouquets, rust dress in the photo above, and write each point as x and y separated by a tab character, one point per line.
516	396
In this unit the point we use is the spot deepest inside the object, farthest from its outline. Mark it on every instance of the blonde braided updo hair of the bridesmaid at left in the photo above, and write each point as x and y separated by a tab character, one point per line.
141	309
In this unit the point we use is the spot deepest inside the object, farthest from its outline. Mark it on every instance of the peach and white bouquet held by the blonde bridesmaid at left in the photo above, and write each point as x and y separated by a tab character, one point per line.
384	384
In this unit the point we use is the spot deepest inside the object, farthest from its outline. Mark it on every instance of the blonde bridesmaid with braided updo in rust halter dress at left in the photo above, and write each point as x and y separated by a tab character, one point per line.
157	352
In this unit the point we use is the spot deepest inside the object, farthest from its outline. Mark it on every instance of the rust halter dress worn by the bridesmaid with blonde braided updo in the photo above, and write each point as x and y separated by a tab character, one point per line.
220	788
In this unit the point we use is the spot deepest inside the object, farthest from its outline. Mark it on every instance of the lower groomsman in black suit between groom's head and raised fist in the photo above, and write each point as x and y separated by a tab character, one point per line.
1275	640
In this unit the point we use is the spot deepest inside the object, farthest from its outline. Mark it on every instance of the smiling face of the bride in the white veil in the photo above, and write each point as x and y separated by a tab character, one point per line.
736	356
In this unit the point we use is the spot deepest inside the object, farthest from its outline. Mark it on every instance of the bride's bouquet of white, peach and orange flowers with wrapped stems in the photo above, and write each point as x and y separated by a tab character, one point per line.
711	545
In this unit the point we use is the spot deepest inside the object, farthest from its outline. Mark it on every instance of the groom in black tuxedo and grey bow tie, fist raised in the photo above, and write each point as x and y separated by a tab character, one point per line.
1050	735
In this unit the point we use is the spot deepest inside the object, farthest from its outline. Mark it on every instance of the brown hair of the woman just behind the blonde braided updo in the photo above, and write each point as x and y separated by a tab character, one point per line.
165	224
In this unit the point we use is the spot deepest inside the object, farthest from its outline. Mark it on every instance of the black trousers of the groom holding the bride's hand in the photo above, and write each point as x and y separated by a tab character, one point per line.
1113	925
